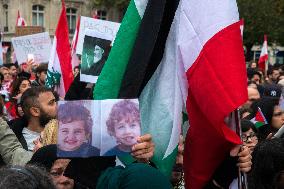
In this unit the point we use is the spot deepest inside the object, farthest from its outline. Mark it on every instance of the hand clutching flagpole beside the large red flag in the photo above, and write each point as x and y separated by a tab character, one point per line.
244	161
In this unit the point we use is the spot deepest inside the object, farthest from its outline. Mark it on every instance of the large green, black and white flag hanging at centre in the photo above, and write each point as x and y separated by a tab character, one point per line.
132	61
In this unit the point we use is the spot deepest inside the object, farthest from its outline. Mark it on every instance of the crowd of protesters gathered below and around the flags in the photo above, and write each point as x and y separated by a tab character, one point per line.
29	129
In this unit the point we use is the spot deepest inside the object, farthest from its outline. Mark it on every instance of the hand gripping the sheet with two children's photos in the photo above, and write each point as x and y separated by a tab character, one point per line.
143	151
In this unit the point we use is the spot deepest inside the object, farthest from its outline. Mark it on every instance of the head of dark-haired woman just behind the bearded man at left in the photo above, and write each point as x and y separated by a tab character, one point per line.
19	86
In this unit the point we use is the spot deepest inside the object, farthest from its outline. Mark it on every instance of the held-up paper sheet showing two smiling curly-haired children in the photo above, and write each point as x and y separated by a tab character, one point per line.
97	127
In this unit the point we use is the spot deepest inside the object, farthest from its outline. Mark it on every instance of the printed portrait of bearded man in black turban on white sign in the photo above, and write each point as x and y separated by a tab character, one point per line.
96	48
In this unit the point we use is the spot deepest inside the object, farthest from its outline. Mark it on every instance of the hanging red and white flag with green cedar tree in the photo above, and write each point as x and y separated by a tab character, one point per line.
59	74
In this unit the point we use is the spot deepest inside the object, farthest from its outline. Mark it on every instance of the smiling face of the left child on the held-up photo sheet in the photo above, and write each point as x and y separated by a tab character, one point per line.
71	135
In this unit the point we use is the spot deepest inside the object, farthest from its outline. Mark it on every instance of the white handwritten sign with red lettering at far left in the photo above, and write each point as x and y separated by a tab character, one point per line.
37	44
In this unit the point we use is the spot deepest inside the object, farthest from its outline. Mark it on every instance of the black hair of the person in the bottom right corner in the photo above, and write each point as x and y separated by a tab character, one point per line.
267	162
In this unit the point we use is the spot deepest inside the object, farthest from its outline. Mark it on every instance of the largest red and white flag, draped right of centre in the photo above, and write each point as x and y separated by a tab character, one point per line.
211	50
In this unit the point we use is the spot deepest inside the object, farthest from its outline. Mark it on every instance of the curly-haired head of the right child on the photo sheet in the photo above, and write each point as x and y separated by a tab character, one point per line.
124	123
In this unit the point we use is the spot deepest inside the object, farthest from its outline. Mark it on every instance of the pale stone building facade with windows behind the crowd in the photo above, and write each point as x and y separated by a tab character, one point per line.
46	13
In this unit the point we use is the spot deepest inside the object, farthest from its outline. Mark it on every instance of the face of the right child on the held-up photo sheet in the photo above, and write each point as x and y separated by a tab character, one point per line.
127	131
